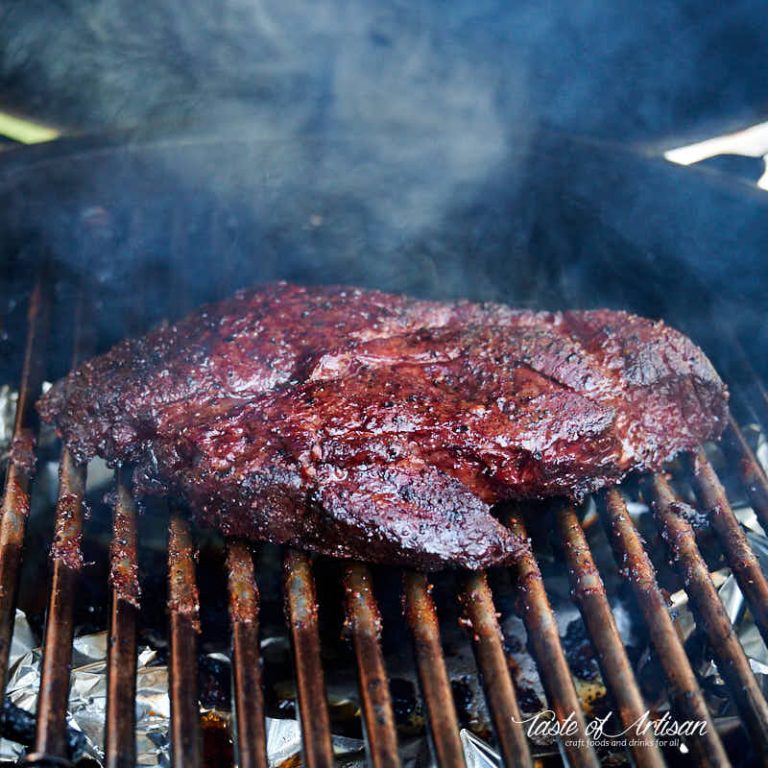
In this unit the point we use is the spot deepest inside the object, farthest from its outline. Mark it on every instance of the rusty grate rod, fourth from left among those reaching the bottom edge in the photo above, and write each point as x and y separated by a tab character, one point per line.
251	742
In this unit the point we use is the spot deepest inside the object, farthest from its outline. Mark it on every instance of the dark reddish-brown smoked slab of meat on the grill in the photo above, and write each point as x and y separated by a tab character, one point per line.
366	425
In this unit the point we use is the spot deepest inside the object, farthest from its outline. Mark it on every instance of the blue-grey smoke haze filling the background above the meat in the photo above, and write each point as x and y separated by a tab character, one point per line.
382	144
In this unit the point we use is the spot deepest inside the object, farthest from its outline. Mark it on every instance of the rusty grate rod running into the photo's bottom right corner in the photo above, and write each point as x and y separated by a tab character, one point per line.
711	617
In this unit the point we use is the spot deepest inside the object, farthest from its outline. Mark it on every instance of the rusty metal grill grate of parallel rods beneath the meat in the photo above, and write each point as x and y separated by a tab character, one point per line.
363	620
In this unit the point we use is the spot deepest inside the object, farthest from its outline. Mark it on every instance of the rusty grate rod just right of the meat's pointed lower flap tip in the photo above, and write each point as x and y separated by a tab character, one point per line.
547	651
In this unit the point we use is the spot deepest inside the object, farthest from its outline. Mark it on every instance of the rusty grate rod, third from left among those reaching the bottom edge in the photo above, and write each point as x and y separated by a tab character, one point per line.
184	608
